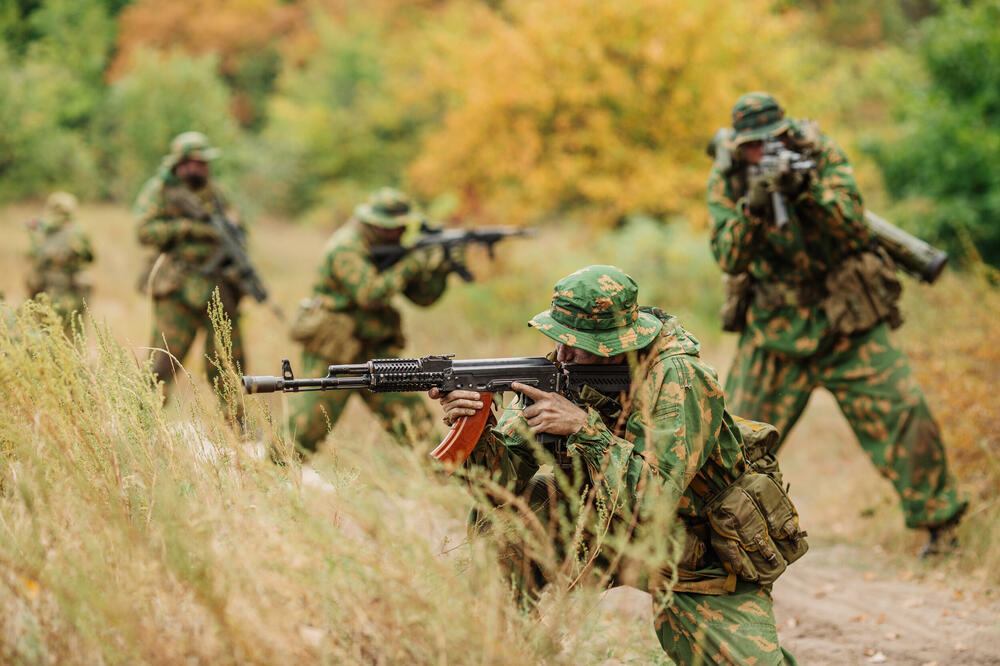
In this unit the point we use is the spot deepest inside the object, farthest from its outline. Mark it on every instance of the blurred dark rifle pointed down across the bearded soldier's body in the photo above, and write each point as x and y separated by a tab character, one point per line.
230	255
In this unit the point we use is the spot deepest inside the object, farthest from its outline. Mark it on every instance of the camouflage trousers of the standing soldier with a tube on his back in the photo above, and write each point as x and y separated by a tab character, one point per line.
871	380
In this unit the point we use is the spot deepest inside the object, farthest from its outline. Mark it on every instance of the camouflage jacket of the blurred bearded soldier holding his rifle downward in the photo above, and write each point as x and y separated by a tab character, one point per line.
173	219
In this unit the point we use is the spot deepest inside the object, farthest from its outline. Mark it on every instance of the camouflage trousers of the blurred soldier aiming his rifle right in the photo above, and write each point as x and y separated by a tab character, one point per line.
403	415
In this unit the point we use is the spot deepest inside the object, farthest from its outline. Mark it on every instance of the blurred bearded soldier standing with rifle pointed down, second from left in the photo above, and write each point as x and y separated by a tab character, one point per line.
173	208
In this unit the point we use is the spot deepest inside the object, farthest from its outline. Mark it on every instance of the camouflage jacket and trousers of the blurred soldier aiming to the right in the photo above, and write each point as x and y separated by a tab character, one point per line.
349	283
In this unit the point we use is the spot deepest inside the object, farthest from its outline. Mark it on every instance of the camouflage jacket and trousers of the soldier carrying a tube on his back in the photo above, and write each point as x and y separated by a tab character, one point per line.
788	347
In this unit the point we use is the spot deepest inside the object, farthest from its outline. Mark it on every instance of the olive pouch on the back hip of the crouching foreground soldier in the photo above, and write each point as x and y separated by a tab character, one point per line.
753	525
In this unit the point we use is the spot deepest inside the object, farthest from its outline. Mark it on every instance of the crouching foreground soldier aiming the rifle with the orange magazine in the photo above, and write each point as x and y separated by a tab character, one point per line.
670	440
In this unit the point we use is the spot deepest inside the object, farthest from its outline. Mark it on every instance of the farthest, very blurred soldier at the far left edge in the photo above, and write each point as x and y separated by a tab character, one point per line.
59	253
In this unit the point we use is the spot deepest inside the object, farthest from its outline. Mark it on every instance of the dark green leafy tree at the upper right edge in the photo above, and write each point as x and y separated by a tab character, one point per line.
944	164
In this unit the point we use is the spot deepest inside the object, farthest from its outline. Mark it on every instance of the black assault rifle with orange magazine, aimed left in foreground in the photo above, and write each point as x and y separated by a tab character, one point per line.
485	375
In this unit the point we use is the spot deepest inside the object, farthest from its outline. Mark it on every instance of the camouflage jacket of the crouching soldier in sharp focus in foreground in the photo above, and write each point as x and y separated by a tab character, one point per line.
673	428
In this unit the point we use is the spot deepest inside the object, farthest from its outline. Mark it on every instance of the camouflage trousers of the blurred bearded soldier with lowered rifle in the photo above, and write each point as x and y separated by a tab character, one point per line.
175	325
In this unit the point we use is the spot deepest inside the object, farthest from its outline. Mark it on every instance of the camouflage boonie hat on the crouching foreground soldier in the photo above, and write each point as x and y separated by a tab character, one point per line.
597	309
